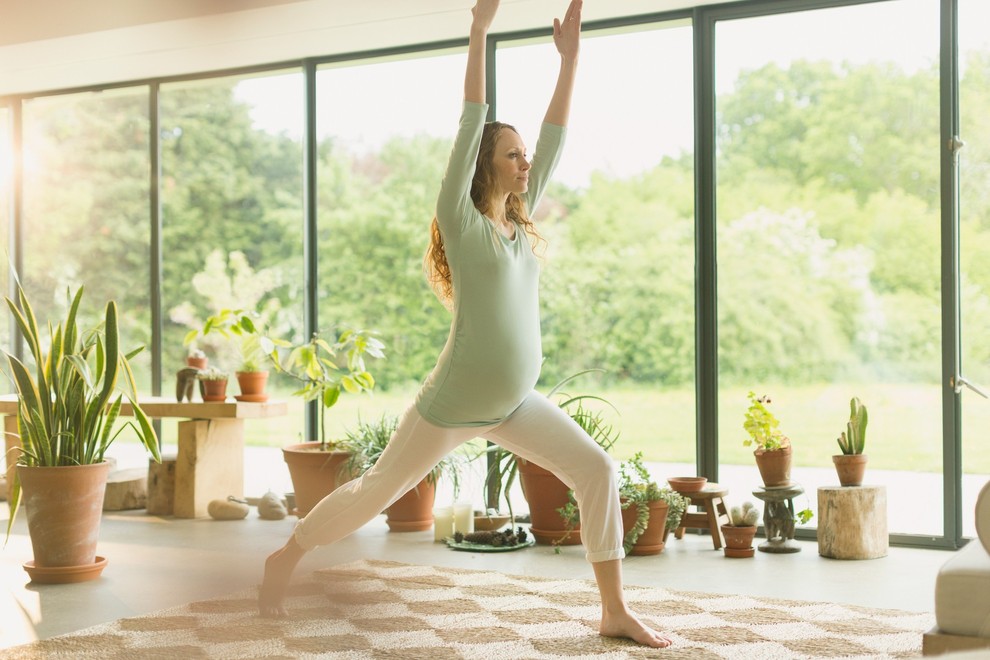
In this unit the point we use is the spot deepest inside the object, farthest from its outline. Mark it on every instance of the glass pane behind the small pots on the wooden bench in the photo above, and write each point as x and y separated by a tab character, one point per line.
232	222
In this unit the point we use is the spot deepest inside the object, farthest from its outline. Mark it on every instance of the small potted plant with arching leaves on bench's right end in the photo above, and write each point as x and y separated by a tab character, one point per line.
255	348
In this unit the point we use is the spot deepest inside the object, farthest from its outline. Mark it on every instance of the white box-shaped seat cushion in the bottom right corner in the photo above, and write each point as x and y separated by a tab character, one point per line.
962	593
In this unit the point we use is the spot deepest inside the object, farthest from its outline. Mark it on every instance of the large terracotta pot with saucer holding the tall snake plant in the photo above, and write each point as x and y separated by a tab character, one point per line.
63	506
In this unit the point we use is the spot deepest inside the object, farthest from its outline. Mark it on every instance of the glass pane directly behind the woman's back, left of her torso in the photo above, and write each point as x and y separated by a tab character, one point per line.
383	148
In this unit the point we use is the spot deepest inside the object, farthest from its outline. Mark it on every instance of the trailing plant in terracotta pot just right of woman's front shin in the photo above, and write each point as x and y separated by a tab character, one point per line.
649	511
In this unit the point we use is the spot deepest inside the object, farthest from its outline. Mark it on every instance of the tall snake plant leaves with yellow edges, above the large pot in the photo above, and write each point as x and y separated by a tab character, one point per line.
68	409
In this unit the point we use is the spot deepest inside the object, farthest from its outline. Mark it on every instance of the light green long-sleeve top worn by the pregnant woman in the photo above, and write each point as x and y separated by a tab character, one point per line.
492	357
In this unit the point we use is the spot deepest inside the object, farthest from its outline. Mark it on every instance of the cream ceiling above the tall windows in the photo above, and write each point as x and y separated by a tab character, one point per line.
64	44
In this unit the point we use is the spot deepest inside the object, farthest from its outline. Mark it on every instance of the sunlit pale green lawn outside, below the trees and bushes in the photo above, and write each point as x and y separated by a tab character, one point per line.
904	432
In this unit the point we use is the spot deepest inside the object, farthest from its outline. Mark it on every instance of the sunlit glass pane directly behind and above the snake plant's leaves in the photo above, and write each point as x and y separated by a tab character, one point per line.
86	214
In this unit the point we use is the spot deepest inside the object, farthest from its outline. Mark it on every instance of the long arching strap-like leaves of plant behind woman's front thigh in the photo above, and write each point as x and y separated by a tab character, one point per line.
503	465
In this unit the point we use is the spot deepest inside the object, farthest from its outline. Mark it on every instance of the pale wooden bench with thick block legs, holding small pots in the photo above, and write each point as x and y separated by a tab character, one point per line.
210	458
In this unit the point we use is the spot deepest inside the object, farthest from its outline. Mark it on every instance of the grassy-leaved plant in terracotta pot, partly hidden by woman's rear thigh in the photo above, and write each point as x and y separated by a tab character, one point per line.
413	511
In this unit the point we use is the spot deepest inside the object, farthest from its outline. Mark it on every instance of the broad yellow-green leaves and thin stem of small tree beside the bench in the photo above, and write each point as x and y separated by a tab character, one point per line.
327	370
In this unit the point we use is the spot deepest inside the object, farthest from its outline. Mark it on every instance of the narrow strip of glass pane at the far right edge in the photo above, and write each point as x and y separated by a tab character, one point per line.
974	230
